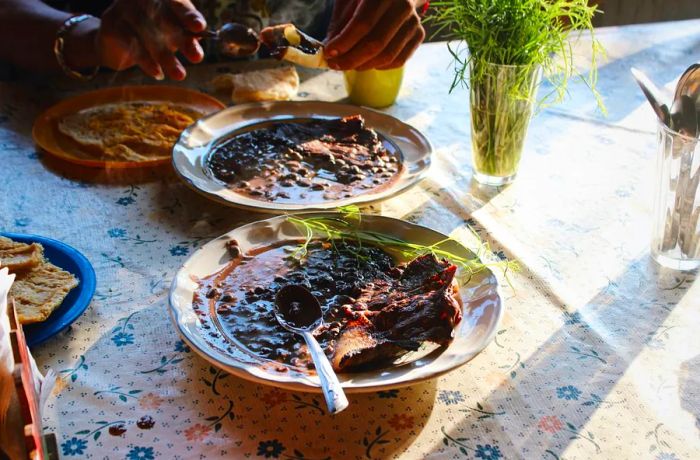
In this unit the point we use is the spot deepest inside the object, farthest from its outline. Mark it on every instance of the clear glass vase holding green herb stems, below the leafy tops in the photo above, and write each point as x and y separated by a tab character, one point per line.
502	100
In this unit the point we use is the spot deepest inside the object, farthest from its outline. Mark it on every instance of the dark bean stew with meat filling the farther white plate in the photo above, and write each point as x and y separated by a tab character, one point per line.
306	162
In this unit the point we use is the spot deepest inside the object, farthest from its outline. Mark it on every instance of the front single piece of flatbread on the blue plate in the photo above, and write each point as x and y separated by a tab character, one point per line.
39	291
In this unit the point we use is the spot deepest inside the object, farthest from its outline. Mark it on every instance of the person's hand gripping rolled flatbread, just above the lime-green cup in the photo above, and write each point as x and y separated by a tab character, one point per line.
370	34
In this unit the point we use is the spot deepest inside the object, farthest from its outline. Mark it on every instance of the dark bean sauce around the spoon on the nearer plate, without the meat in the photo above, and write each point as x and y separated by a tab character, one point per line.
245	294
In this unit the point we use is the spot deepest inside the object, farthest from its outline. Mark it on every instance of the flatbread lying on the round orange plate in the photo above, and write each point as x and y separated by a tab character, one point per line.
128	131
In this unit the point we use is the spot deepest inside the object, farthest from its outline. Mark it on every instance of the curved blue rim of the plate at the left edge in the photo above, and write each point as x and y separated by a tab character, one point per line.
88	282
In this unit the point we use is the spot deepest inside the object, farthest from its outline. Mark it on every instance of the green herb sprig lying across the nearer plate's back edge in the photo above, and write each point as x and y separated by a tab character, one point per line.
345	228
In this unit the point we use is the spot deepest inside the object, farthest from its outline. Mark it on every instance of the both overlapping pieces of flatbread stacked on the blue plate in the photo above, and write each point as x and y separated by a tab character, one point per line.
39	286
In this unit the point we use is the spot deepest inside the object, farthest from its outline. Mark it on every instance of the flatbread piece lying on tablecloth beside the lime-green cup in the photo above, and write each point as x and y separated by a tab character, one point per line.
274	84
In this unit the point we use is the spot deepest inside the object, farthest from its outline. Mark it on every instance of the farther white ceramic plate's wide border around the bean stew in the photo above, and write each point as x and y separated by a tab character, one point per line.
191	152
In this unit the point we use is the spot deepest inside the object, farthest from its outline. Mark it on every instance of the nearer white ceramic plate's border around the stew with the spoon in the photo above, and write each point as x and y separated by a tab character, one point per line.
482	310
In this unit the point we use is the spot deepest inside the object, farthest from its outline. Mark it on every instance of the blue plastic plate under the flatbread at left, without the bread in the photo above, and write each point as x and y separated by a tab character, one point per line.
76	301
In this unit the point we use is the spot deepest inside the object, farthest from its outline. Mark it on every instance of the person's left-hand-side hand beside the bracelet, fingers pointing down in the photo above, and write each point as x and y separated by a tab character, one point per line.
147	33
